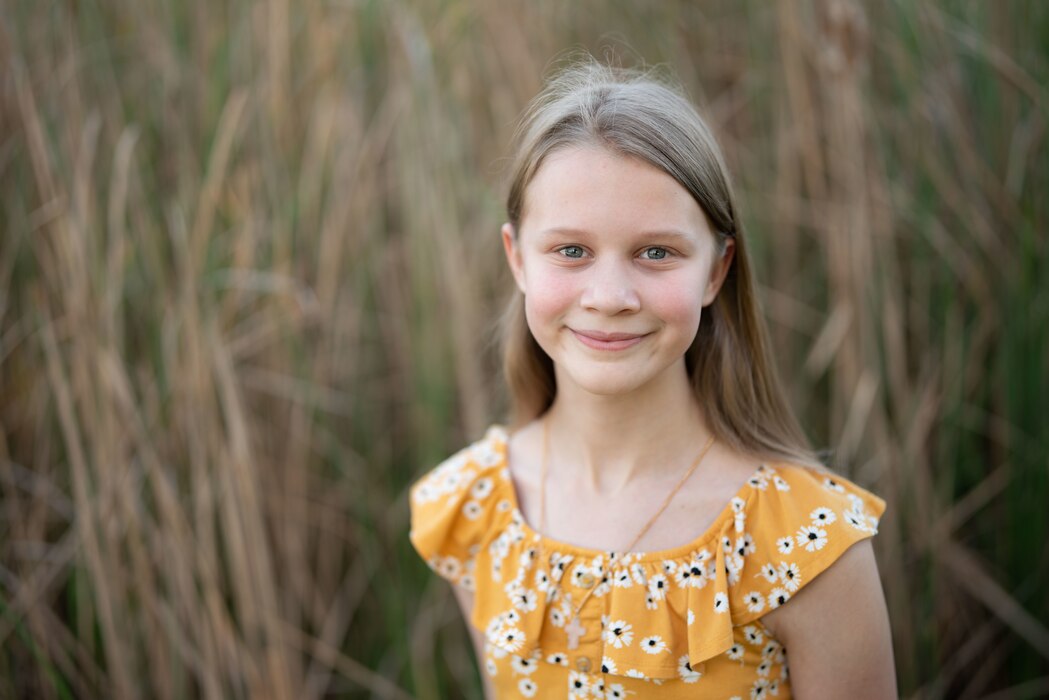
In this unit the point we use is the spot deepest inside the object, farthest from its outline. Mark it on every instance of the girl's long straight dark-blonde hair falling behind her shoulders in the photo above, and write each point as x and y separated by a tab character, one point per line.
643	116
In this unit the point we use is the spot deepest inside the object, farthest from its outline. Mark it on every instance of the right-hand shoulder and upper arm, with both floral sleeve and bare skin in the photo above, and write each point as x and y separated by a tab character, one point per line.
808	571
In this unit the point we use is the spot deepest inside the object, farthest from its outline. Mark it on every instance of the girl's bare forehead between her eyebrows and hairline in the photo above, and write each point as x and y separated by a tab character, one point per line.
591	188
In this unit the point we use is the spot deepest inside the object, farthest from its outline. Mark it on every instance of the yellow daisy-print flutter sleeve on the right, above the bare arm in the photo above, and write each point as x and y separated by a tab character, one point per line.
801	522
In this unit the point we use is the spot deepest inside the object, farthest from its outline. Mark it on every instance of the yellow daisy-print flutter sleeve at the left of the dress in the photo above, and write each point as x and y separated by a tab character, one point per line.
454	513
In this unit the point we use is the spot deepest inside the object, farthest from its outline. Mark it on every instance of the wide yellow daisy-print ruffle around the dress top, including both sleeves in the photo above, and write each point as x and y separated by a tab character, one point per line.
767	542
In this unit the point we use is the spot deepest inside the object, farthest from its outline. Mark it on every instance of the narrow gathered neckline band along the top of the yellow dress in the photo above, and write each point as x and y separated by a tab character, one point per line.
737	504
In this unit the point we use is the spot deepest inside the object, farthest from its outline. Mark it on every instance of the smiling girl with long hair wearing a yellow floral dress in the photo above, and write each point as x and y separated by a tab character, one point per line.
655	525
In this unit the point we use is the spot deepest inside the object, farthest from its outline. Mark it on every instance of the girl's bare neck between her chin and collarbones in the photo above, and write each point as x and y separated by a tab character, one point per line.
612	441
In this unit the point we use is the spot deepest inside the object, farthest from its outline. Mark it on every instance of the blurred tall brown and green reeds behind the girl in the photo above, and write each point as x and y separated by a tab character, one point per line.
250	270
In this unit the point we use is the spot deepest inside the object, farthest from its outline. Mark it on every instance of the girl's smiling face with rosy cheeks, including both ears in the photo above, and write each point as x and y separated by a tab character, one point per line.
616	262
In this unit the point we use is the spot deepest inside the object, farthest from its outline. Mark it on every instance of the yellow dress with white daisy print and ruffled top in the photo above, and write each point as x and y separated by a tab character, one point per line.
674	624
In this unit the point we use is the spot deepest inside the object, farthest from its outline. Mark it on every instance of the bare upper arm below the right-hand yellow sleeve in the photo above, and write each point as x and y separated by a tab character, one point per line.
837	631
